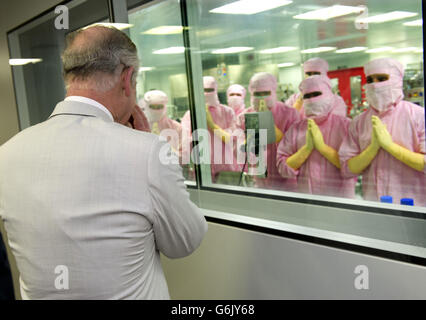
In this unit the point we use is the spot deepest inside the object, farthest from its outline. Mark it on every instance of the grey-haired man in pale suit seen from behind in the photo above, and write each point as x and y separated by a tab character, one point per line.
87	204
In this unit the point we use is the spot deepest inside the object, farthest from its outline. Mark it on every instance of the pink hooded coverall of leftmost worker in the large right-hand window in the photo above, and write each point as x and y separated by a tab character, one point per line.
225	118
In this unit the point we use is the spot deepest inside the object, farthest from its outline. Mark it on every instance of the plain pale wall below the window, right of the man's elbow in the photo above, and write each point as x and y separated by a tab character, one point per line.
234	263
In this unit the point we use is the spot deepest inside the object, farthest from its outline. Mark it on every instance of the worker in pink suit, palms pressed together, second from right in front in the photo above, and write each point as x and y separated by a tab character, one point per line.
309	148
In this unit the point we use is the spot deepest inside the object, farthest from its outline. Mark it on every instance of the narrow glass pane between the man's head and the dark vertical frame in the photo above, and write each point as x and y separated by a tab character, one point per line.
156	29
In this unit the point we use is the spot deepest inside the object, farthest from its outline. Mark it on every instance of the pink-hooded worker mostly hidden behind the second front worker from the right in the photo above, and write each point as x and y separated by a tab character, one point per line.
311	67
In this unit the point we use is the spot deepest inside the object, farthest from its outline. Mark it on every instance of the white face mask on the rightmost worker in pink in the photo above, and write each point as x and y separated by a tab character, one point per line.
381	96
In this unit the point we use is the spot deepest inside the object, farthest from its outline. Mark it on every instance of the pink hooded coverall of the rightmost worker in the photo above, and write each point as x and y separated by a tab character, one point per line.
405	122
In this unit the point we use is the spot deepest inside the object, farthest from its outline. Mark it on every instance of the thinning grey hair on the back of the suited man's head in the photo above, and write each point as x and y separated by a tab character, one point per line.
94	58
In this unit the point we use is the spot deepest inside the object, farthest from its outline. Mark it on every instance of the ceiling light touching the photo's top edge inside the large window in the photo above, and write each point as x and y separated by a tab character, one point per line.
250	6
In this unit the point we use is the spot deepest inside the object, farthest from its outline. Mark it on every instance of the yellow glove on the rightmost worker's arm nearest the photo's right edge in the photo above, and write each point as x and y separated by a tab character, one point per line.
412	159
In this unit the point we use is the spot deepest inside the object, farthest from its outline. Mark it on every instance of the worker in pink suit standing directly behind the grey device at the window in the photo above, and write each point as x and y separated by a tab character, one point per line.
262	89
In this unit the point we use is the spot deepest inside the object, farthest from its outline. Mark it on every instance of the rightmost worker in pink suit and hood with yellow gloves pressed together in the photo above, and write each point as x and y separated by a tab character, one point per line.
386	143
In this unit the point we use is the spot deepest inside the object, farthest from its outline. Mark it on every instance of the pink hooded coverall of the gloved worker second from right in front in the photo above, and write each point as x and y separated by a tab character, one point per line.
317	175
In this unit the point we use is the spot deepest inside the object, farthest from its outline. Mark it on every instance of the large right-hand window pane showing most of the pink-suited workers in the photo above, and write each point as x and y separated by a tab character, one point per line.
256	54
